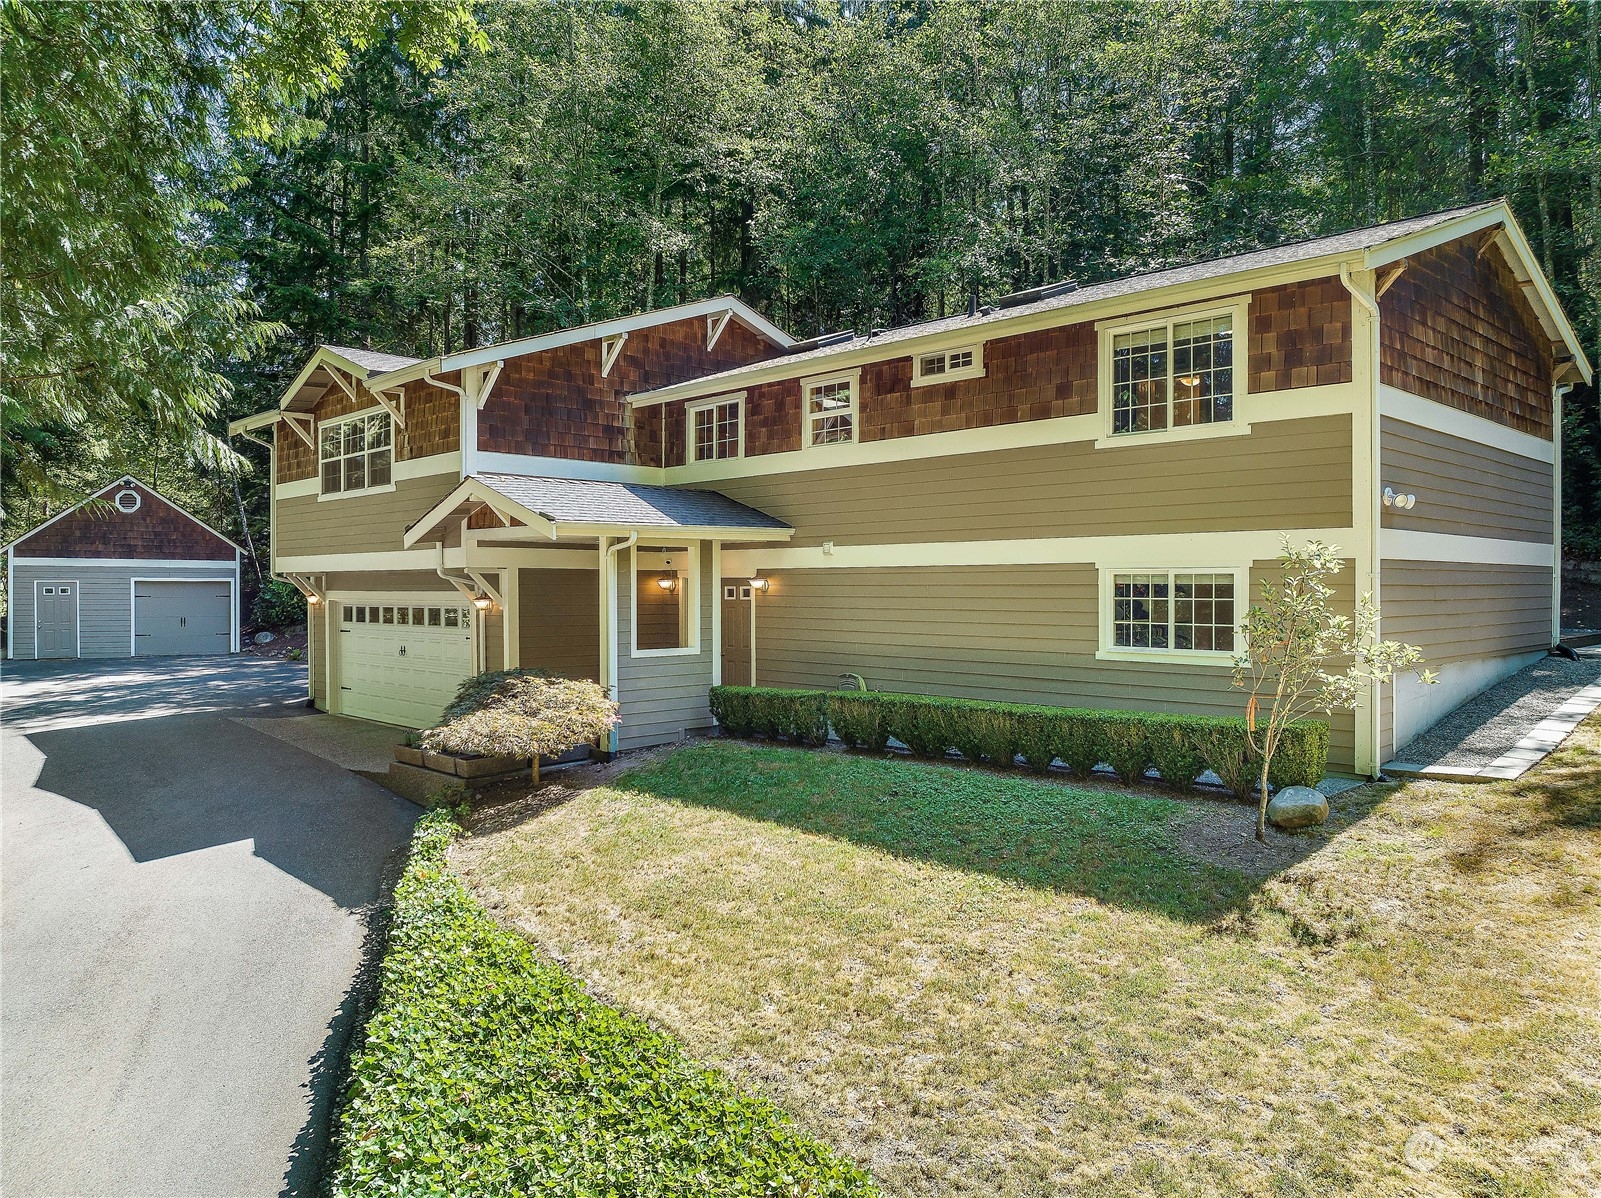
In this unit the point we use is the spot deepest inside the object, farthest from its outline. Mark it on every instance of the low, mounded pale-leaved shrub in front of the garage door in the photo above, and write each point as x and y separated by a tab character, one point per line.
523	715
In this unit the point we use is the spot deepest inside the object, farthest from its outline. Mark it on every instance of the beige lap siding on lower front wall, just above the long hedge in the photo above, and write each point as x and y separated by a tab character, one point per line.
1022	635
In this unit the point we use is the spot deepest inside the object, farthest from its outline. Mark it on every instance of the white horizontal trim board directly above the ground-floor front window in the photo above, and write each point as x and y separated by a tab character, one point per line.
1176	552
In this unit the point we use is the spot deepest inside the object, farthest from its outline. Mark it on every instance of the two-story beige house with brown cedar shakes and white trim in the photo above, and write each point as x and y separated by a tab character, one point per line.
1064	497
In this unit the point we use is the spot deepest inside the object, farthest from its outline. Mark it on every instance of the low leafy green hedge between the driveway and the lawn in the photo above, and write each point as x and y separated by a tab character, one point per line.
488	1071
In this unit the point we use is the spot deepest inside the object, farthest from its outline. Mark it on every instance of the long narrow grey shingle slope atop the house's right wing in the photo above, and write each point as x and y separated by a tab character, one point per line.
1213	268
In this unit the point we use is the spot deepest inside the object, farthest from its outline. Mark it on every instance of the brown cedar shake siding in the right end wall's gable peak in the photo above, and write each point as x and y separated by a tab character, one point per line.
1456	329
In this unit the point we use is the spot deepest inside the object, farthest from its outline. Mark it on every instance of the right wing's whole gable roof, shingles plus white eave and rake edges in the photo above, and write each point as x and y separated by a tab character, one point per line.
1379	246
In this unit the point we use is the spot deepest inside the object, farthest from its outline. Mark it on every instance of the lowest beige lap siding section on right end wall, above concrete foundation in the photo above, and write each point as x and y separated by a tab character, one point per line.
1463	613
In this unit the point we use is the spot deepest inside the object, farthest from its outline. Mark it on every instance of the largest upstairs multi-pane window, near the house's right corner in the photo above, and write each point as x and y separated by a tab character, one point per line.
1173	376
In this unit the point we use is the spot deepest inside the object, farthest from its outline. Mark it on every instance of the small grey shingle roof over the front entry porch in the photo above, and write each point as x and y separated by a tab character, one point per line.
627	504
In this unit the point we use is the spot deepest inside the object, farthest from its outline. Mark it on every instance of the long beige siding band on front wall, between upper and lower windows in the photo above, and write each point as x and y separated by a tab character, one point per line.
1286	475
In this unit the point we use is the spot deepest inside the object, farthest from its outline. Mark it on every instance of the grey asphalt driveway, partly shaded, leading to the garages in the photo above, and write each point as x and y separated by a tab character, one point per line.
183	914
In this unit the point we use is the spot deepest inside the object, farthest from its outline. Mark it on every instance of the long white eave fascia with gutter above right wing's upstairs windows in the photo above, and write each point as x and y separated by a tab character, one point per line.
1000	326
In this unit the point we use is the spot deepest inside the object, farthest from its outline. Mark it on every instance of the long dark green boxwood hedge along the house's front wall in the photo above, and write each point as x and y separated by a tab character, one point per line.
1181	749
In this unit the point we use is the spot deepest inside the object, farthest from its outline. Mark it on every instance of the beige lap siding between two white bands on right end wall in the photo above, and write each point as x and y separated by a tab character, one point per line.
1464	488
